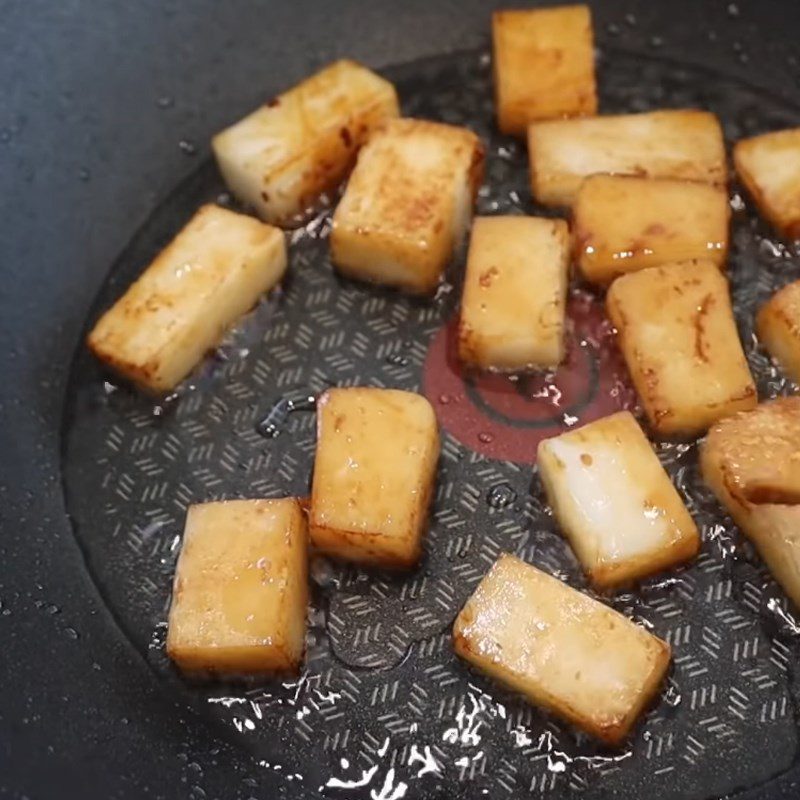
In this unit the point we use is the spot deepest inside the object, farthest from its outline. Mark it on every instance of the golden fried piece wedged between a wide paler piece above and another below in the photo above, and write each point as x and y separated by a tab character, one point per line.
623	224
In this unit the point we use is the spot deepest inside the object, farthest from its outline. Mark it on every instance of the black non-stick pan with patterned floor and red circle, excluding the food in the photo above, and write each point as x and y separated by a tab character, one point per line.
105	115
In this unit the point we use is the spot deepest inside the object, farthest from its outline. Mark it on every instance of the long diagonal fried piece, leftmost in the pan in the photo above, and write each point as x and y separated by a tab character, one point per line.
211	273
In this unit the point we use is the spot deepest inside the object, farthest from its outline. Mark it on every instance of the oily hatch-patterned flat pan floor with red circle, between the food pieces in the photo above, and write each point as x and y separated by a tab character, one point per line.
383	708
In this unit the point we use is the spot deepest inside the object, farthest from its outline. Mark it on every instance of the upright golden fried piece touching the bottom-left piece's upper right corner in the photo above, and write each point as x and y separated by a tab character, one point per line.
374	473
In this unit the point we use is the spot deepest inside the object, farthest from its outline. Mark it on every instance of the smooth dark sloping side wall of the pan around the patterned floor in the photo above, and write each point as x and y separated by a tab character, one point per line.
105	110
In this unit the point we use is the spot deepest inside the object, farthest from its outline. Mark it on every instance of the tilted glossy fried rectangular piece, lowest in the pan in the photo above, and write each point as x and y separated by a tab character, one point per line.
563	650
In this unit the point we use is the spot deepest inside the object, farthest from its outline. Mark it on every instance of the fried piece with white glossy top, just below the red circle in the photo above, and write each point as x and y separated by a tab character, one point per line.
617	506
